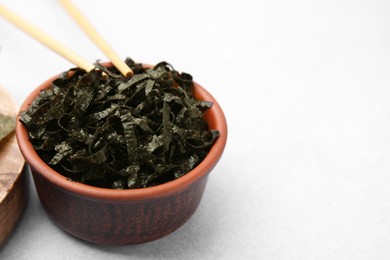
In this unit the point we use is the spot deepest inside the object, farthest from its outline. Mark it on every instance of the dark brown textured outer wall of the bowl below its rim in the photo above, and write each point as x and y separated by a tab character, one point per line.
114	222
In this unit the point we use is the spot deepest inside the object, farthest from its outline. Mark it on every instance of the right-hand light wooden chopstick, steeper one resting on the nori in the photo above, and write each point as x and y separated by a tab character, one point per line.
96	37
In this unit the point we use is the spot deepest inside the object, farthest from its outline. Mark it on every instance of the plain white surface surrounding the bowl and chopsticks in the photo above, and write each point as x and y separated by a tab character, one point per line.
305	87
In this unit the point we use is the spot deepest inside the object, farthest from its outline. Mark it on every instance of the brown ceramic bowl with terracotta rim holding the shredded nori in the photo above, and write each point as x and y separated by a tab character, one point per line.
120	217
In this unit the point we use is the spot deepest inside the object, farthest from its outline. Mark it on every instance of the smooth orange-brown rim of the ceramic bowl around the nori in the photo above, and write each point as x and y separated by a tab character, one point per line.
215	115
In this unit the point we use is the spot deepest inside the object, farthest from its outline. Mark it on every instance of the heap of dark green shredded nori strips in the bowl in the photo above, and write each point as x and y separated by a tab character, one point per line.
114	132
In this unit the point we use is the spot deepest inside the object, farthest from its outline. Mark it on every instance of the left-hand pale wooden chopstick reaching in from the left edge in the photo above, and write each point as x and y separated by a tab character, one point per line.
45	39
